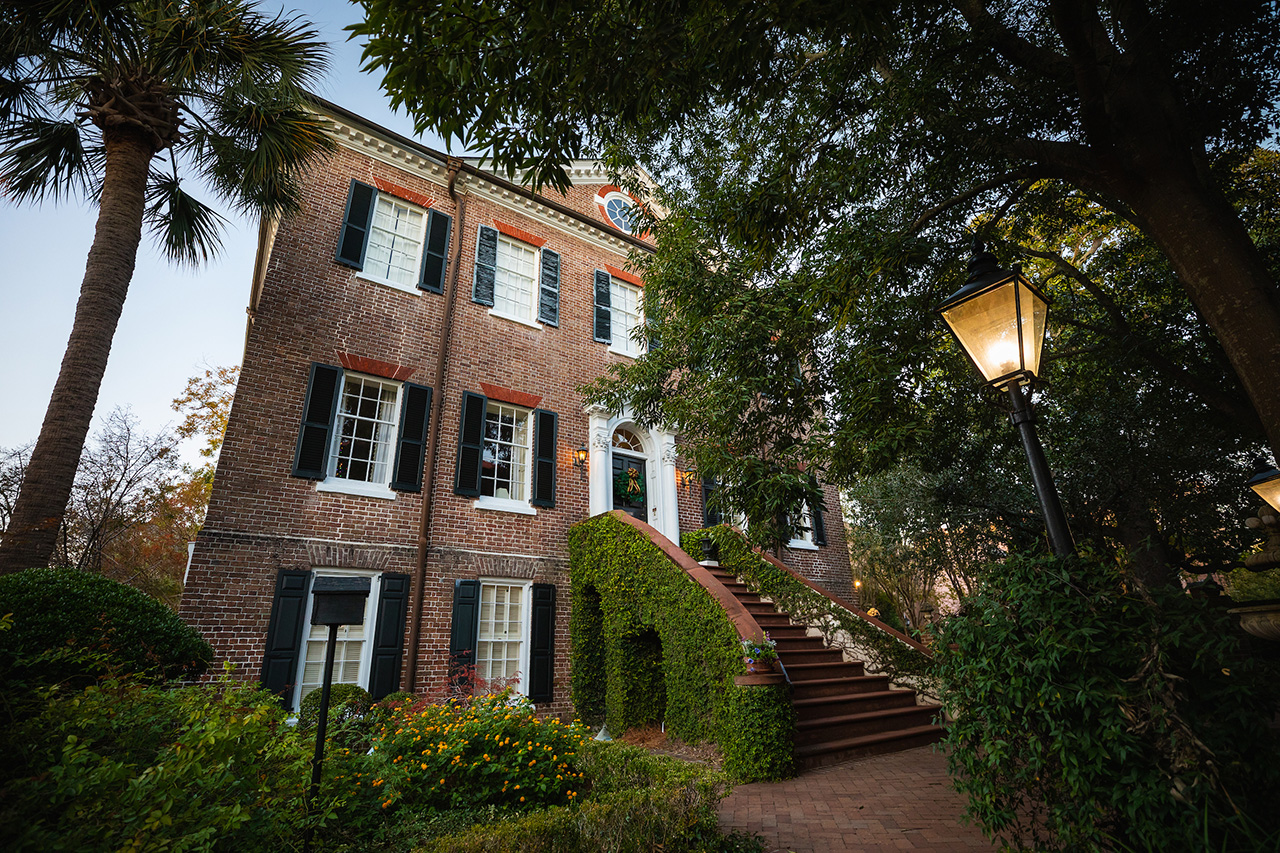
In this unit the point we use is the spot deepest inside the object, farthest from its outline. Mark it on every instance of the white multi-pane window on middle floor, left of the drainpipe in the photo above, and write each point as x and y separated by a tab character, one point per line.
365	436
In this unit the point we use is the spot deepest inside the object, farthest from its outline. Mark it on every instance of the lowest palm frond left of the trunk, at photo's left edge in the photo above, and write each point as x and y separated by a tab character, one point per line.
44	157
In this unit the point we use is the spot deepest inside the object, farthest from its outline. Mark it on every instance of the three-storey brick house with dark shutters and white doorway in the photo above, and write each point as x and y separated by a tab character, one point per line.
408	413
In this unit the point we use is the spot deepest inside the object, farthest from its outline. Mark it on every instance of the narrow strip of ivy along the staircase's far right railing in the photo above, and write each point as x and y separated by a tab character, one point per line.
881	653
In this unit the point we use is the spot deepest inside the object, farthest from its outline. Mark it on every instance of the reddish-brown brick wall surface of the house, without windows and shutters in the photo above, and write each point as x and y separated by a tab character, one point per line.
312	309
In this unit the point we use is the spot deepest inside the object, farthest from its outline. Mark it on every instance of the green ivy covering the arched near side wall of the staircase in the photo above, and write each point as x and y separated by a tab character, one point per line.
650	645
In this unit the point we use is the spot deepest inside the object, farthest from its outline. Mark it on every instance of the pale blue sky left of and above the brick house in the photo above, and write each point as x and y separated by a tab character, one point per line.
176	321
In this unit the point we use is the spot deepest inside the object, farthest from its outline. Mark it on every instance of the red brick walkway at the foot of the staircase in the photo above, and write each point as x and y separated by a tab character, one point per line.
897	802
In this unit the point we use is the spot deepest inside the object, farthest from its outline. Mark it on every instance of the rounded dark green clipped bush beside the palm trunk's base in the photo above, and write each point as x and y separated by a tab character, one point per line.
75	626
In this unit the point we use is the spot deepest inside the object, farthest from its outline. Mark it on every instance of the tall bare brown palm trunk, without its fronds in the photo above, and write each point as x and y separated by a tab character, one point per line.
38	514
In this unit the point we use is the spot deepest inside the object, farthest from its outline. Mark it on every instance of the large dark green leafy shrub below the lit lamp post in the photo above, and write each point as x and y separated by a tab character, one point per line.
1094	714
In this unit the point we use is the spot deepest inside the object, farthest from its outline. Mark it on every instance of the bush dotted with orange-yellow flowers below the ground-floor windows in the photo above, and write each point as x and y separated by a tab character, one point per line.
488	751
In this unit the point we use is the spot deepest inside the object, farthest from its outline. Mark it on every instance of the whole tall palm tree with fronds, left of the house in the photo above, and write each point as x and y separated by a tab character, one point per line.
112	99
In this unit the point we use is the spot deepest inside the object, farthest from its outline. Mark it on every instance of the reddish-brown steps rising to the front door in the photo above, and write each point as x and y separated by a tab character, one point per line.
842	713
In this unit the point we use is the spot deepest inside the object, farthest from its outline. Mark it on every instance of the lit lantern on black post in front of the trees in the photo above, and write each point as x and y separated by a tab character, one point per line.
999	321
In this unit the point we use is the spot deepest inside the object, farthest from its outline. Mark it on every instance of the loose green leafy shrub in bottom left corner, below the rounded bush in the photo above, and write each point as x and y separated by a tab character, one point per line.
127	767
